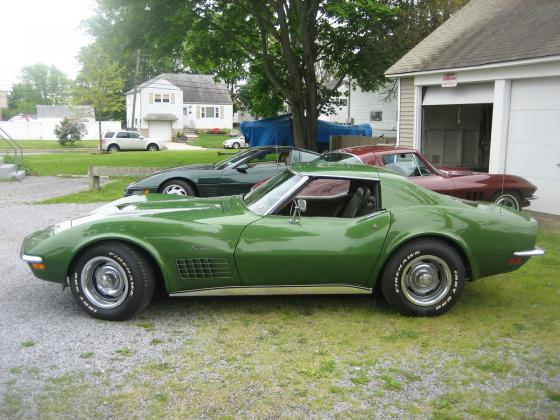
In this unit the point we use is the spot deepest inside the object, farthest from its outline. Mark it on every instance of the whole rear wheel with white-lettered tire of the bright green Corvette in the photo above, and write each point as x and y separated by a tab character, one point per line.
423	278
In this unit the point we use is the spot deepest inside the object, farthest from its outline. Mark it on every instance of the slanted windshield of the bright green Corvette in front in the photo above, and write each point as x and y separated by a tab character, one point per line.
263	198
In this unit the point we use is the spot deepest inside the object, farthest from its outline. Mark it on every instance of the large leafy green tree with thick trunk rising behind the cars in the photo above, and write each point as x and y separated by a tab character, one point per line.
304	49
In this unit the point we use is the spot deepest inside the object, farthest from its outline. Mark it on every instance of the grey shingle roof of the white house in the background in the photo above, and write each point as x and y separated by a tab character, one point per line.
197	88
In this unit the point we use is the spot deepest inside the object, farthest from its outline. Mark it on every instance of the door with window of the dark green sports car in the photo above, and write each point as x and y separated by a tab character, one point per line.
239	178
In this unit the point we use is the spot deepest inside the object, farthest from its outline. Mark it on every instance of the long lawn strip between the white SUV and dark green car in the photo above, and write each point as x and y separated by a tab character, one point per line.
78	163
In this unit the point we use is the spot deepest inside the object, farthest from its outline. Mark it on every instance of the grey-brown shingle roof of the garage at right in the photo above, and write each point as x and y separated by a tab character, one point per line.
486	32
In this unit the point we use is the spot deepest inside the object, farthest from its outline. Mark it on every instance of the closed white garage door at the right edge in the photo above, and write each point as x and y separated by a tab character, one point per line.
533	149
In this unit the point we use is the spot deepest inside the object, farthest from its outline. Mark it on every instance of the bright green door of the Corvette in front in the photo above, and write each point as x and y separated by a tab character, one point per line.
313	251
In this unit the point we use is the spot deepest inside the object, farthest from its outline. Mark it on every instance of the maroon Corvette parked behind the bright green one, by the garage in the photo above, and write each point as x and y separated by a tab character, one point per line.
507	190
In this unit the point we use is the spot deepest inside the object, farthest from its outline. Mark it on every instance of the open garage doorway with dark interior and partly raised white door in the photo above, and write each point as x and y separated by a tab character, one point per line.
457	126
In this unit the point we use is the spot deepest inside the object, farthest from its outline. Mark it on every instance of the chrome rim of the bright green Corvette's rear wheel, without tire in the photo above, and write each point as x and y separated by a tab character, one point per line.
426	280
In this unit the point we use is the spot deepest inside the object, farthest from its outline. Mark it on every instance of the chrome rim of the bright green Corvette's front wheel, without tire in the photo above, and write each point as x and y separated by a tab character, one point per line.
104	282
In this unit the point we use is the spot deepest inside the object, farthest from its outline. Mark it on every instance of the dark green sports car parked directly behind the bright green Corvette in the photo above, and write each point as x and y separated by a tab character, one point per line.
235	175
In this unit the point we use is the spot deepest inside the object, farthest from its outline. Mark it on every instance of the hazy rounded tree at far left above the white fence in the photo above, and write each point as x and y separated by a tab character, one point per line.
38	84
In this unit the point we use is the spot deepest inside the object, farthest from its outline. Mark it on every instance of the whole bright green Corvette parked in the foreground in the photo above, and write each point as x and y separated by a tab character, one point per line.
317	228
